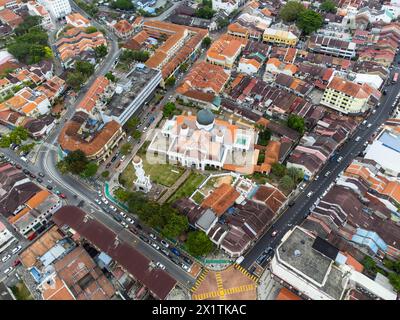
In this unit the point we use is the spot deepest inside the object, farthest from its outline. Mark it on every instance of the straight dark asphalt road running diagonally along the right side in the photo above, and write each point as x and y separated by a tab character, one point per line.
299	211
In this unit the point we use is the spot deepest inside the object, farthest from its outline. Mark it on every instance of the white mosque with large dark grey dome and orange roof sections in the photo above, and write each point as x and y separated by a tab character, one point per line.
198	141
